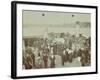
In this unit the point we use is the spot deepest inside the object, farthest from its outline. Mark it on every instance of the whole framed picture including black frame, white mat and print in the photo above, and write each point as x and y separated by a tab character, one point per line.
53	39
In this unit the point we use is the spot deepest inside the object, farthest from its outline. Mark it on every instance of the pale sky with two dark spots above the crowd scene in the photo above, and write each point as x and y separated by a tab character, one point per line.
31	18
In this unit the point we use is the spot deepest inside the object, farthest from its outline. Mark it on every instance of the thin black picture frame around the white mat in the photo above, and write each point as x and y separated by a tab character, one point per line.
14	38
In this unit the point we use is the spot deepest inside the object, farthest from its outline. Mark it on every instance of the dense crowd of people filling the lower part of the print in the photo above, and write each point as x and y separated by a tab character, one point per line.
41	52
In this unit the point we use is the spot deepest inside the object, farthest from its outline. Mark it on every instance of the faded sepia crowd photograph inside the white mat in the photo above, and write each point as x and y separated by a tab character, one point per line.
56	39
